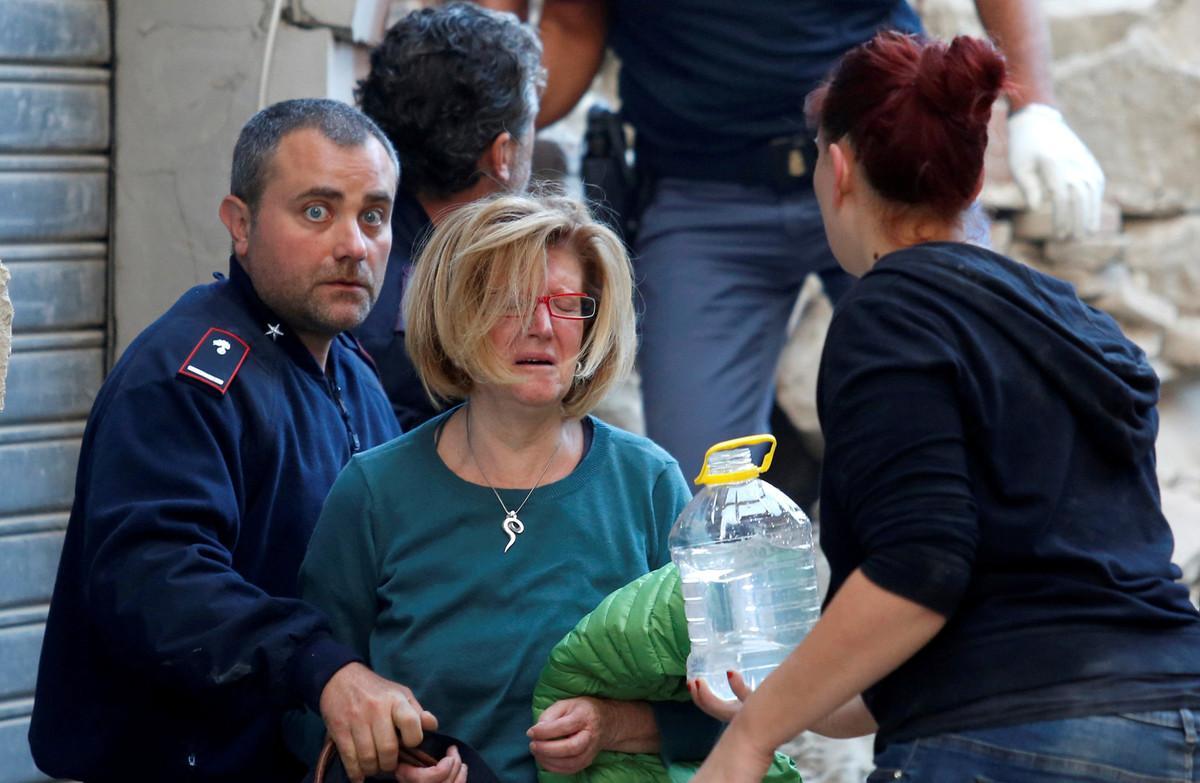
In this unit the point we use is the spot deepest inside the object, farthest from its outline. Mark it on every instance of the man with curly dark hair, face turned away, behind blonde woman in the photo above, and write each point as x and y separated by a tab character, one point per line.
457	89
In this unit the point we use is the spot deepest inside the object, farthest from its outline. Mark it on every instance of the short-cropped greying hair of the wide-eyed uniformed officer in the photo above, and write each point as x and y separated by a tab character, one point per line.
261	136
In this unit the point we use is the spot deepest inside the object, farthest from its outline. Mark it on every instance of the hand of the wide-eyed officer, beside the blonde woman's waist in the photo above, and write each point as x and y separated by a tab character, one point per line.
363	713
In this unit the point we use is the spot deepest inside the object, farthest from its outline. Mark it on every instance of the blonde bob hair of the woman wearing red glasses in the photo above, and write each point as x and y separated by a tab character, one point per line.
488	261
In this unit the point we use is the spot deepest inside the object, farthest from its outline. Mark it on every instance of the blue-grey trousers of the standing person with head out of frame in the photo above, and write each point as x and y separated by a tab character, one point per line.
719	267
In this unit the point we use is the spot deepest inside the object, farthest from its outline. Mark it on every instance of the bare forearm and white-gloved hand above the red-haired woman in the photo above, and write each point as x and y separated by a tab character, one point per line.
1048	160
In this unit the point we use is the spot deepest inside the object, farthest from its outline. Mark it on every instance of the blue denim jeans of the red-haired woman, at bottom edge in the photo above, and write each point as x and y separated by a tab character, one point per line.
1137	748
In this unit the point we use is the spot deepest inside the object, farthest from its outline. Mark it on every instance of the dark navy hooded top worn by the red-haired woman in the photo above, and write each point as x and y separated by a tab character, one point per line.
989	455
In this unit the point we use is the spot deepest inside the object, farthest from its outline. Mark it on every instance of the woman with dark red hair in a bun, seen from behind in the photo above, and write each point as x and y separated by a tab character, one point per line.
1004	606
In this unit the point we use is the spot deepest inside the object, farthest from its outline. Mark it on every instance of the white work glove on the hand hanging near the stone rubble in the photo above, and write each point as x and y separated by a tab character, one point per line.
1047	157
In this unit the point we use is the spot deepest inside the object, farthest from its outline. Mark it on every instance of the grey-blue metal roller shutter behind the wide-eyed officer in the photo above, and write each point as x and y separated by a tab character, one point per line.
55	198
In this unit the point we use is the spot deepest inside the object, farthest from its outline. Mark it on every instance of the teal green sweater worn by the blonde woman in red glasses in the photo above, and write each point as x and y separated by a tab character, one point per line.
409	563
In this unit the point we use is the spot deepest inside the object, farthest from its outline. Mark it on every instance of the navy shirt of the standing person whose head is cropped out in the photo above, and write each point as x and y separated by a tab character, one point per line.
709	77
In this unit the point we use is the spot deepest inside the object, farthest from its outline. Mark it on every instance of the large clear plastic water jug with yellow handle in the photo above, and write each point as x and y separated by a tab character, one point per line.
745	553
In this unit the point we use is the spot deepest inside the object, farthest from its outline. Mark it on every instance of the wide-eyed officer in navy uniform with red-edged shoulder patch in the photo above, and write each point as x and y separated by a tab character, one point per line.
176	638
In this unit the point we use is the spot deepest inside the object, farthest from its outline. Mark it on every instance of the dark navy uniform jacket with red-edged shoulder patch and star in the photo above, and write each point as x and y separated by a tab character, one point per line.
176	638
